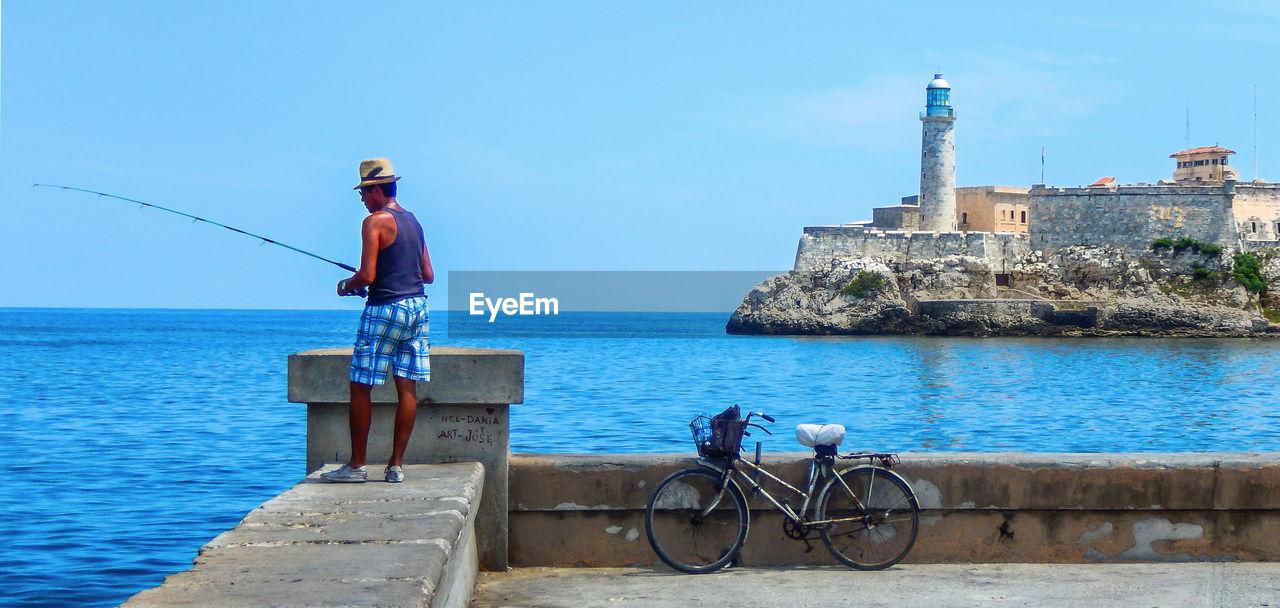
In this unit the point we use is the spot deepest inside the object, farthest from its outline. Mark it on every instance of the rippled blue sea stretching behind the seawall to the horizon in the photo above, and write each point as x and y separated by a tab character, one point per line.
132	437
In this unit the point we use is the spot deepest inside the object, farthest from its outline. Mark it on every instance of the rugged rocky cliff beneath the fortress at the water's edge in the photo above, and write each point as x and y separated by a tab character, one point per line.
1076	291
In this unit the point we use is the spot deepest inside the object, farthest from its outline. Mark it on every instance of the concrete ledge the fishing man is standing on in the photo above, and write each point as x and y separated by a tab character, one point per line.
323	545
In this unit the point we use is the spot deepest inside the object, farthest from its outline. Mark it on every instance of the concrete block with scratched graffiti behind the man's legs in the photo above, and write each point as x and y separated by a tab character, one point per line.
463	417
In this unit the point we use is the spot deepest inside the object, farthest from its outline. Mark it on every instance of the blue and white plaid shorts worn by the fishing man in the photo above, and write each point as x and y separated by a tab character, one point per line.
392	336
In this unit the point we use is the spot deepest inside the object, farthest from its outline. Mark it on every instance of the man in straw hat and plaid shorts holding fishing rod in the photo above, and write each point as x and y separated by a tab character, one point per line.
394	330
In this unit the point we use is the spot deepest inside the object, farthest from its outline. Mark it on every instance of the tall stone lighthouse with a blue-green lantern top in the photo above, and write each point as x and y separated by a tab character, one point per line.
938	159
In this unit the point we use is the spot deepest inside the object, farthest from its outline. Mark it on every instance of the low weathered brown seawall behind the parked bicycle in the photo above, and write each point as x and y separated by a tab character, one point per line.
588	510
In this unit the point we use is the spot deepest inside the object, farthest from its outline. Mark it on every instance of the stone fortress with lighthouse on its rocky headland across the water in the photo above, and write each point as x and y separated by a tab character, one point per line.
1039	260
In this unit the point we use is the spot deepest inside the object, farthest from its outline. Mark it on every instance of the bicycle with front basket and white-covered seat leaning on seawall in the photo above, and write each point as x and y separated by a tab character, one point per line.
698	519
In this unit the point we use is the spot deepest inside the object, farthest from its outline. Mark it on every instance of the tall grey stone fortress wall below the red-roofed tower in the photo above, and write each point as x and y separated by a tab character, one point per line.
1131	217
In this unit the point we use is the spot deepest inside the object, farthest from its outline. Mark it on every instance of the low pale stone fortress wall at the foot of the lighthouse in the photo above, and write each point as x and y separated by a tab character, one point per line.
820	245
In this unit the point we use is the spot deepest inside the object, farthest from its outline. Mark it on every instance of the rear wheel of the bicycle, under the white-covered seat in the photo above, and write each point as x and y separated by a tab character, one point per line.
875	518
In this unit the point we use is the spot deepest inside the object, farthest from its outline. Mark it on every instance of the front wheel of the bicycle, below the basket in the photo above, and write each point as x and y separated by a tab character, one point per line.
697	525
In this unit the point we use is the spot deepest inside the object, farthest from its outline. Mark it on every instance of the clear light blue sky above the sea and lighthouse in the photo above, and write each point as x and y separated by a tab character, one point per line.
566	136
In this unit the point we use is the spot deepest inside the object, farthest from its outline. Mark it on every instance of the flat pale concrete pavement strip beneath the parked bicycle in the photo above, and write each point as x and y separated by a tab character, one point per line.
1116	586
